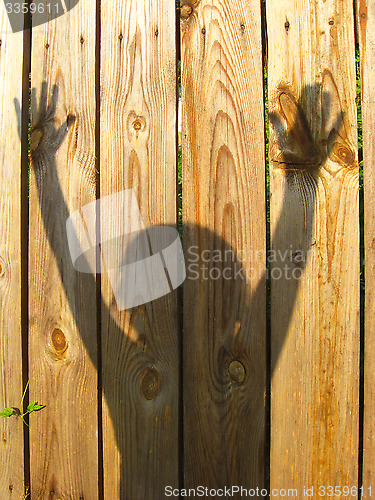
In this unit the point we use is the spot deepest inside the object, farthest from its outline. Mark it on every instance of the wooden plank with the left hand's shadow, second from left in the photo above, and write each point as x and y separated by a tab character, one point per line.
62	305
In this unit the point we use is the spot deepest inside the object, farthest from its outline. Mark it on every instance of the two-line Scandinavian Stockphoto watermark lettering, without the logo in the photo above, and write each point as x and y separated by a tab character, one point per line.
228	264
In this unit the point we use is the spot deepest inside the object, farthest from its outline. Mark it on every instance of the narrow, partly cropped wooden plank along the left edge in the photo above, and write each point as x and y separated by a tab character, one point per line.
11	429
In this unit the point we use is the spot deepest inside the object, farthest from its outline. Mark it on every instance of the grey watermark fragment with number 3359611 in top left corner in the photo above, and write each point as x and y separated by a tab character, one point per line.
22	15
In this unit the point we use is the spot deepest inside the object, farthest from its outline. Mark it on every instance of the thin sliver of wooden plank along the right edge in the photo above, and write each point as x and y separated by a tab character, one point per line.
366	26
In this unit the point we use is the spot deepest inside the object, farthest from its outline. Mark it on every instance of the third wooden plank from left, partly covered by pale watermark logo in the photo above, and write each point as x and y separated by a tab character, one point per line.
138	152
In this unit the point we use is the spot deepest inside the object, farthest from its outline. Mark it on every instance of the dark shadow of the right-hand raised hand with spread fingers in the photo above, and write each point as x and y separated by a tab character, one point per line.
299	150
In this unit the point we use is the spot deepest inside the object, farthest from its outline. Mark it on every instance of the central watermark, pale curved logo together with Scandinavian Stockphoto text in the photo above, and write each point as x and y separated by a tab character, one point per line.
143	264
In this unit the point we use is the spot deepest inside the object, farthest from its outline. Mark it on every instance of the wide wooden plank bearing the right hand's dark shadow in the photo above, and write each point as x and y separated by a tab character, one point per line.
315	234
